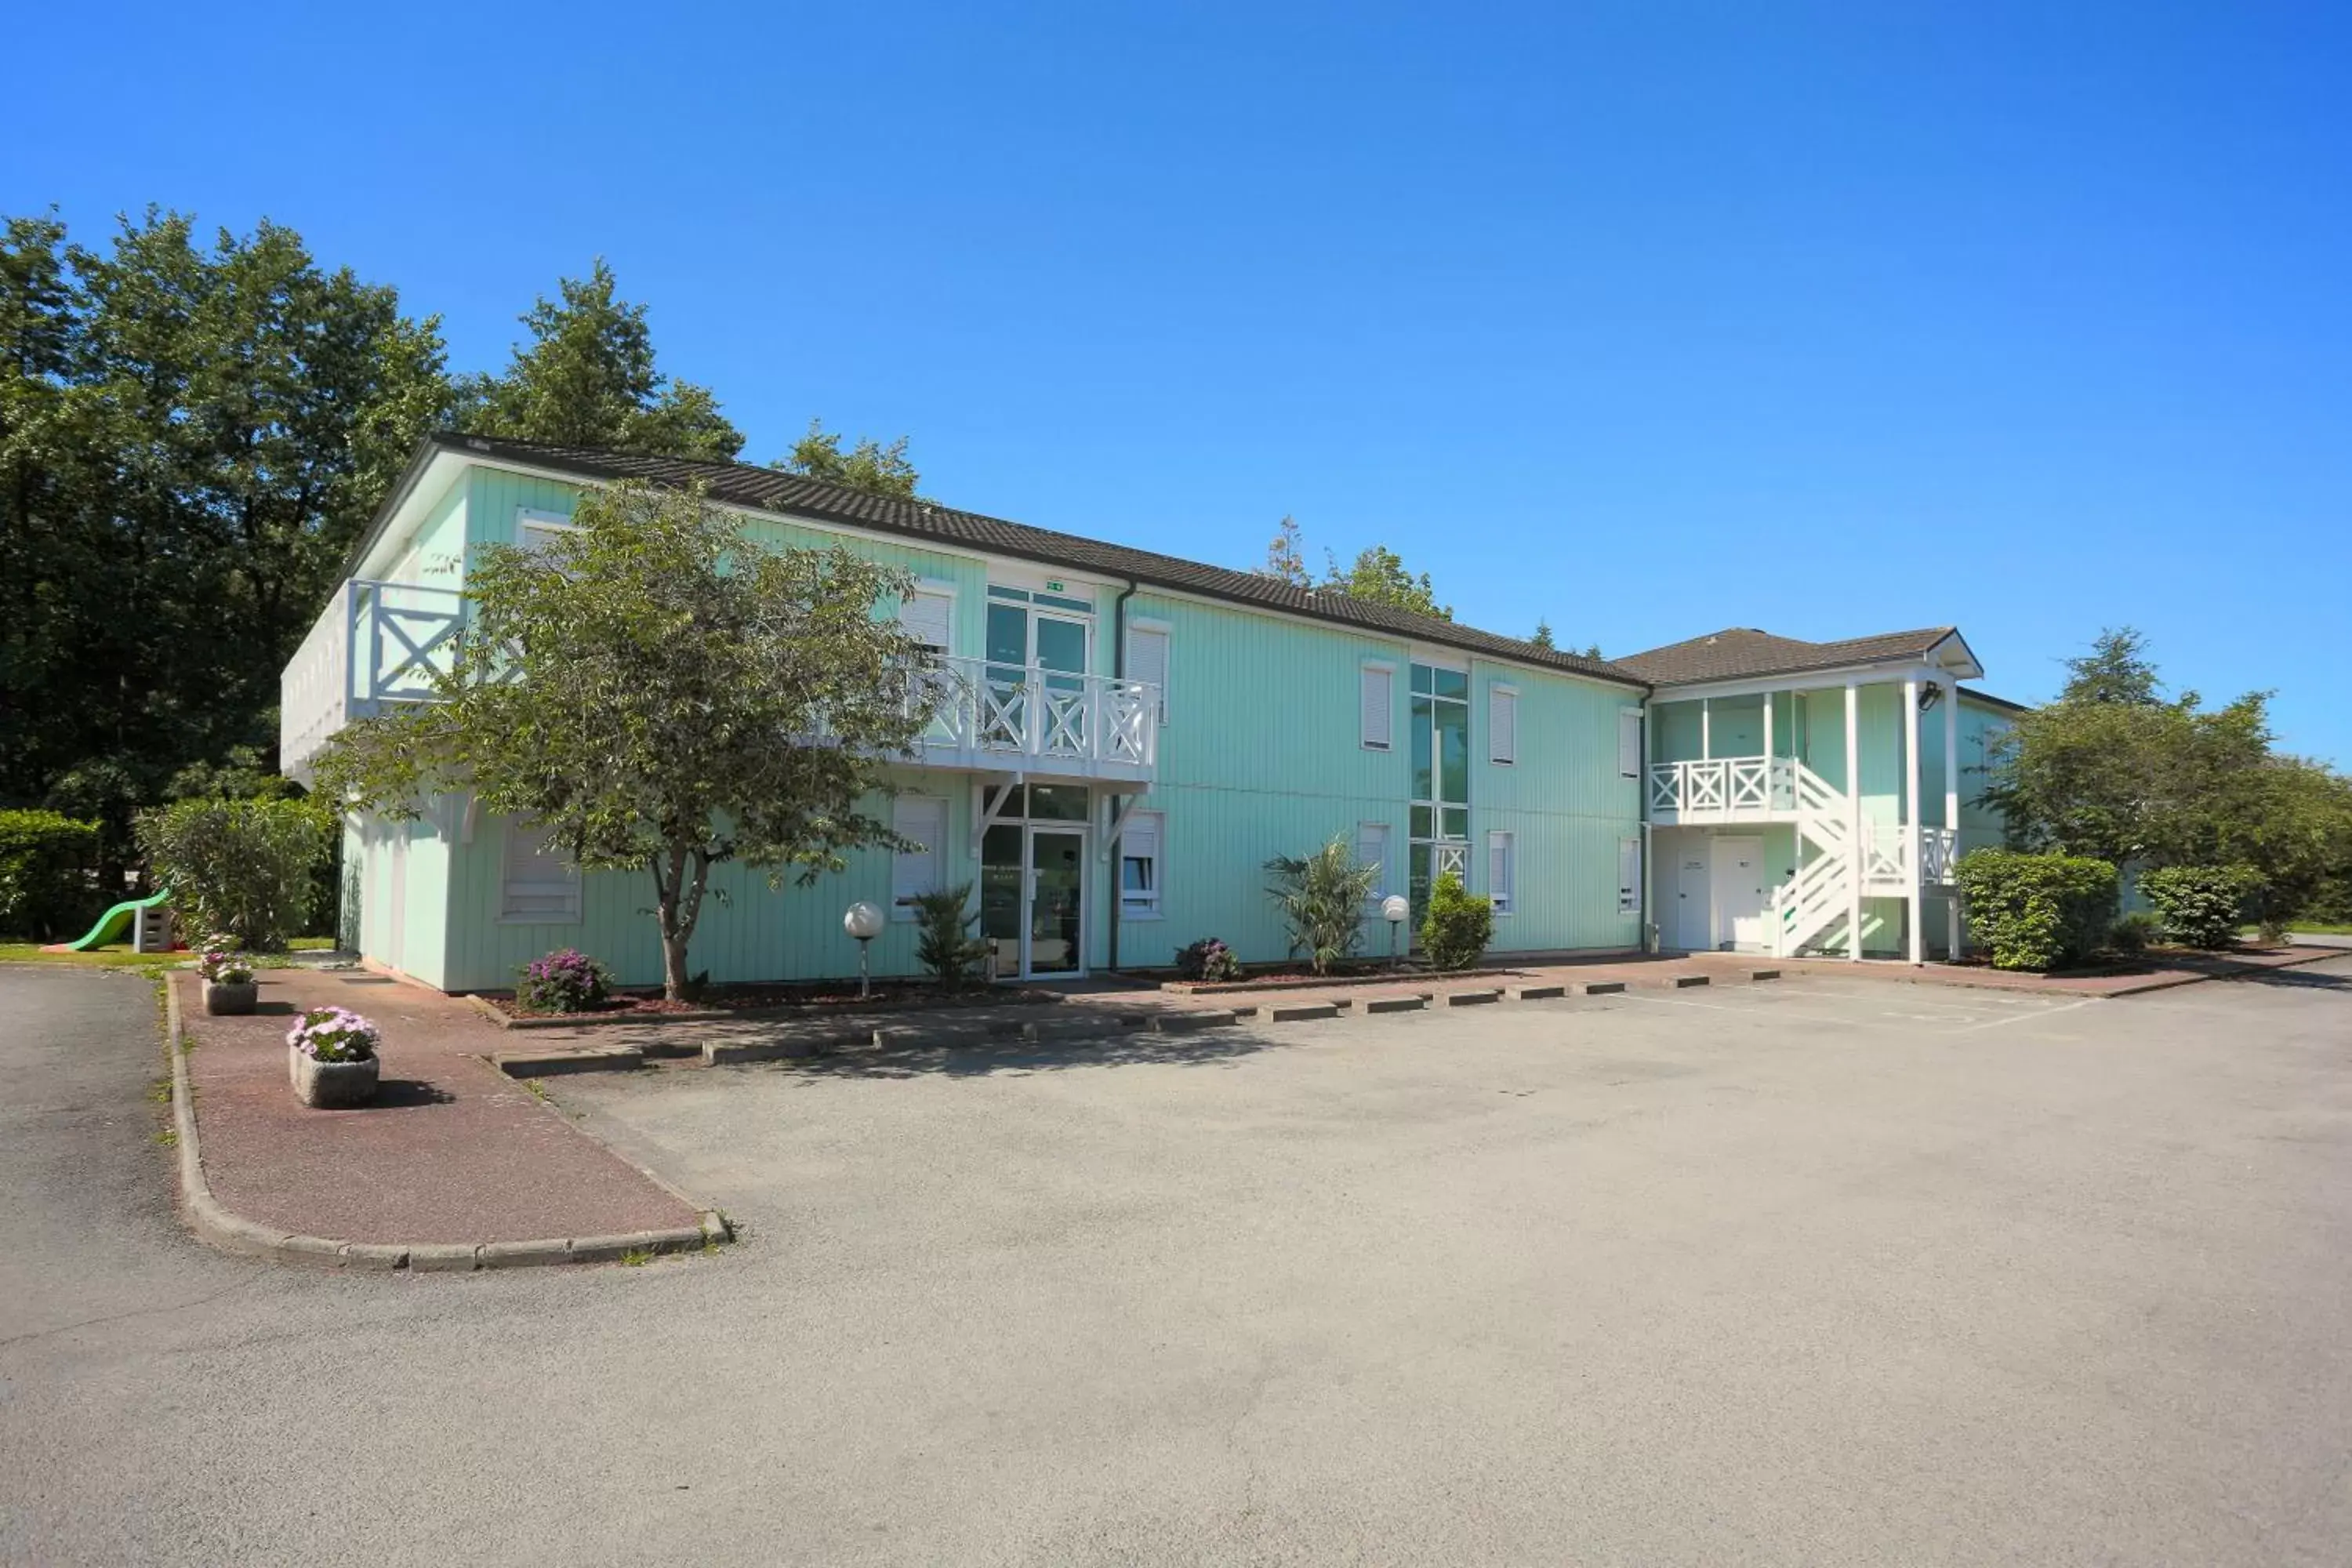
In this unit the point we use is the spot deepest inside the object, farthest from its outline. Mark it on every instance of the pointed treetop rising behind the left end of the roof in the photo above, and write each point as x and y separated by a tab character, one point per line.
589	380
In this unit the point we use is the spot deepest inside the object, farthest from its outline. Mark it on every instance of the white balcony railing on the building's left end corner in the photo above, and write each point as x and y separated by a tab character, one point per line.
373	645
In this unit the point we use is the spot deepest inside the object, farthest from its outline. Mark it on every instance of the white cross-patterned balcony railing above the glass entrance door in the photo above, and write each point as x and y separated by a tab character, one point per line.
1031	718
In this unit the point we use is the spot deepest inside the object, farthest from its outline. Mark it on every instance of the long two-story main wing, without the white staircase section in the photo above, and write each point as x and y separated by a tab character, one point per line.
1130	737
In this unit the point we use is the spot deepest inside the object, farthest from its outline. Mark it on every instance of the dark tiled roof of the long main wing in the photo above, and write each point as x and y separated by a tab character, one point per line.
780	492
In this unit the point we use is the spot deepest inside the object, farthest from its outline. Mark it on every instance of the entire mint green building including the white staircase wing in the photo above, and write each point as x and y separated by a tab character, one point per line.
1121	758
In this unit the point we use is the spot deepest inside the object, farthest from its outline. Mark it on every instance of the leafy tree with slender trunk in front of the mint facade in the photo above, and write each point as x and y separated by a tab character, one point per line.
662	695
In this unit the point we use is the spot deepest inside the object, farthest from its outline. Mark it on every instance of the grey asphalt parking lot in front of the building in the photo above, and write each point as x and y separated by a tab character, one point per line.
1808	1273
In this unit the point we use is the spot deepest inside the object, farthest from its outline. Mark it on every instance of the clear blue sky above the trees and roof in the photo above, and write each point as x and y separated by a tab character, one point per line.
1638	319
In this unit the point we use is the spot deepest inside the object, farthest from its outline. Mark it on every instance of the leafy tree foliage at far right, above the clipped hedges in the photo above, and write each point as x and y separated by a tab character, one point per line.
2120	772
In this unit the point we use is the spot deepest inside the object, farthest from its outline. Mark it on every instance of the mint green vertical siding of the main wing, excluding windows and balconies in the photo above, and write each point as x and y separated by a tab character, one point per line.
1262	756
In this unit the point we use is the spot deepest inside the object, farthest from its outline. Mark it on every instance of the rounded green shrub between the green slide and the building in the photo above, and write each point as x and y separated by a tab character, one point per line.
239	866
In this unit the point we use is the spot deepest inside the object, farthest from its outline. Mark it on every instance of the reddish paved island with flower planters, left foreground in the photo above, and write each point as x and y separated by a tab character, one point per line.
453	1151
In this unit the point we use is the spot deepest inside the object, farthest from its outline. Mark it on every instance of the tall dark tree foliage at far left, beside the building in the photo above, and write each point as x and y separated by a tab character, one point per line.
192	436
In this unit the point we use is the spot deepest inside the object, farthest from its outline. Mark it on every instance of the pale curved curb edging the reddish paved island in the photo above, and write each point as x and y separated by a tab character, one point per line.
234	1233
